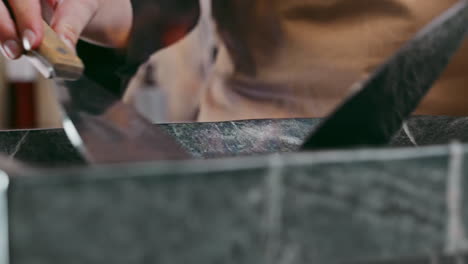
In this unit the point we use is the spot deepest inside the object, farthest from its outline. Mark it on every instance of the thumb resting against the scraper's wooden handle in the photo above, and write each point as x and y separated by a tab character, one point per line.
71	17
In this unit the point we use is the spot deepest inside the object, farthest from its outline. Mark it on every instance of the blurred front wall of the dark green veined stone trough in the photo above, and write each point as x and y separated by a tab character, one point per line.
295	208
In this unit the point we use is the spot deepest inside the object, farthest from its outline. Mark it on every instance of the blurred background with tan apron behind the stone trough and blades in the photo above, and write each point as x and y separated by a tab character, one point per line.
236	65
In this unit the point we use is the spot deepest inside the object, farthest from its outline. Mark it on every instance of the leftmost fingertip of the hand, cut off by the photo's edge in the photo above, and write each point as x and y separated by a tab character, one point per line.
9	41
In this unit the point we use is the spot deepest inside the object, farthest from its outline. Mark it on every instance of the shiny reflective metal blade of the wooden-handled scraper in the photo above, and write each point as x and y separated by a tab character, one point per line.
105	130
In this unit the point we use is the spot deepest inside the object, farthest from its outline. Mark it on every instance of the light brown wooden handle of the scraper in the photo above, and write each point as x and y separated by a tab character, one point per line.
64	60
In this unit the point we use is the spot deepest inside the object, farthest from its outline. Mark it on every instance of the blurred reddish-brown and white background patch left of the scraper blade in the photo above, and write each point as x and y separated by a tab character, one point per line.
26	99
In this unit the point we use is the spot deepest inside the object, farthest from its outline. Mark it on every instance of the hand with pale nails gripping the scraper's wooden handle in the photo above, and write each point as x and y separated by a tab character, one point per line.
105	22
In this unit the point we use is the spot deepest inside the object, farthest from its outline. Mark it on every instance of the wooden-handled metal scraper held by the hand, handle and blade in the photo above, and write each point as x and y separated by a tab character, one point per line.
99	125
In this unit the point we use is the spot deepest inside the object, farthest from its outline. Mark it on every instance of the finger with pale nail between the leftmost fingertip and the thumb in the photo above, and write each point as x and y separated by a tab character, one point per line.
28	19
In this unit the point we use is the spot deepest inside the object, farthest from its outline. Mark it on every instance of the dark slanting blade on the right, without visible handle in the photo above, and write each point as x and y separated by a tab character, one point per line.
374	114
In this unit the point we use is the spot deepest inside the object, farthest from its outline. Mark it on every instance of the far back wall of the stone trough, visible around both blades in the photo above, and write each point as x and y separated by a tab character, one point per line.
226	139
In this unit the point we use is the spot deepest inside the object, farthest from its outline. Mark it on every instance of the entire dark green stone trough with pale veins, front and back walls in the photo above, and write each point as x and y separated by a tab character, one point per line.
320	207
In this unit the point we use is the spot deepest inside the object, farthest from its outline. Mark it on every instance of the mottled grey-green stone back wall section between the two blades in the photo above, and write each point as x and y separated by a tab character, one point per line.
211	140
